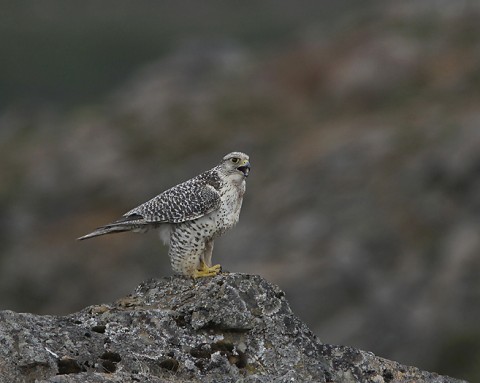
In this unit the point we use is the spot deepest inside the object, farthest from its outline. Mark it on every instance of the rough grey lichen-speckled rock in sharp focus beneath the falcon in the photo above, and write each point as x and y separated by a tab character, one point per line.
229	328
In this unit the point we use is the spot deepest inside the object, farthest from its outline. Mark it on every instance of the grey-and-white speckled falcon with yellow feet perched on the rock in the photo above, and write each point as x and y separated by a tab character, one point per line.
190	215
